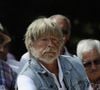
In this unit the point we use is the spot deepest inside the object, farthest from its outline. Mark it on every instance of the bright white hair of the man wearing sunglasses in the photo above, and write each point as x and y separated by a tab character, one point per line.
87	45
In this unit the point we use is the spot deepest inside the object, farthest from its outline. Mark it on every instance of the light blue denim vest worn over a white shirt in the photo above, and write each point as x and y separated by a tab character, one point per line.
75	77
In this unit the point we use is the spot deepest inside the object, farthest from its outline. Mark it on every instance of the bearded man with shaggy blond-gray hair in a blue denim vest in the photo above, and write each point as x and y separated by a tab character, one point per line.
47	69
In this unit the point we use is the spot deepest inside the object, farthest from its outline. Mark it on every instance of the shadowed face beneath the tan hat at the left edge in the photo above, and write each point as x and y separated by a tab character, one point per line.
3	51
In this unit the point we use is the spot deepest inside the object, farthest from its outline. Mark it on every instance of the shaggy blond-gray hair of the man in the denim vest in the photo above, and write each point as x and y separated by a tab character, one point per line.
40	27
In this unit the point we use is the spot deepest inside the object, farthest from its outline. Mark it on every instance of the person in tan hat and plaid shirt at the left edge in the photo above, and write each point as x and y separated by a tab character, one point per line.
7	75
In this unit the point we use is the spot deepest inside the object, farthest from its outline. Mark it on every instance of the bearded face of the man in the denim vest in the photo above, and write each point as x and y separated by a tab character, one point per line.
46	48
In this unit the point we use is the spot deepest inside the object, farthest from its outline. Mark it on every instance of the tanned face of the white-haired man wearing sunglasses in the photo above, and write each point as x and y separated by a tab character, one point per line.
92	65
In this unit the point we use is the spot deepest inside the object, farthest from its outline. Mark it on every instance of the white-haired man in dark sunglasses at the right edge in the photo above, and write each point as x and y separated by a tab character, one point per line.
88	50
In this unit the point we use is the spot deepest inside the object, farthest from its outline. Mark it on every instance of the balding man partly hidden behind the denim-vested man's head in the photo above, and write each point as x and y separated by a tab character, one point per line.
64	23
